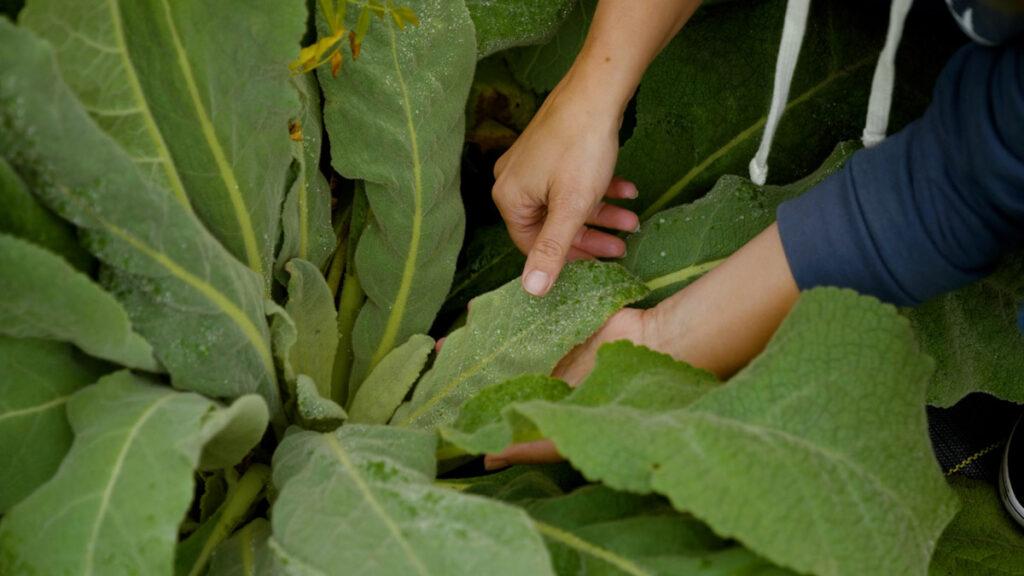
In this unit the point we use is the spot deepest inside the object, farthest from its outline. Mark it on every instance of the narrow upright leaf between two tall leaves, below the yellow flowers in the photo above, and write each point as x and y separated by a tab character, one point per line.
306	219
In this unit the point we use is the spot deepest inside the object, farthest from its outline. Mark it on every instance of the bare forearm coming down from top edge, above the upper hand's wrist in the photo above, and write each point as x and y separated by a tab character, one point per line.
624	38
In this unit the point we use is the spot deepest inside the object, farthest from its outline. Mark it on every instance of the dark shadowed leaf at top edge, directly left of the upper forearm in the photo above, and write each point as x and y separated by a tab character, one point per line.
542	67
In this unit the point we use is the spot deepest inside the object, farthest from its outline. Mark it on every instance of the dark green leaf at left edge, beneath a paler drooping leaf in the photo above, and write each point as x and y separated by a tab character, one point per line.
38	380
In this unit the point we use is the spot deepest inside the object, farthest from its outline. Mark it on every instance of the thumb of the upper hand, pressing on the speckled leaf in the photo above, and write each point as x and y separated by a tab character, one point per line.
550	250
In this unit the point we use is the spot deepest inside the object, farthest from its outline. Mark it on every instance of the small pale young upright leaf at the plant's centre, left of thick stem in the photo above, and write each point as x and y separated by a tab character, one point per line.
311	306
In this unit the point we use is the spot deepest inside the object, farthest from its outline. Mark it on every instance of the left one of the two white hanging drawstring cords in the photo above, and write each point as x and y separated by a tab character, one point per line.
793	37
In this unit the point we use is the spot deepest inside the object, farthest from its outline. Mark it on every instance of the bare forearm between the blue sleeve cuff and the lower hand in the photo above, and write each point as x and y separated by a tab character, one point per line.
726	319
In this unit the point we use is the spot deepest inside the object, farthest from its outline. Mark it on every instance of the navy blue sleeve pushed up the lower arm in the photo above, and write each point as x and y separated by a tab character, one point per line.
932	208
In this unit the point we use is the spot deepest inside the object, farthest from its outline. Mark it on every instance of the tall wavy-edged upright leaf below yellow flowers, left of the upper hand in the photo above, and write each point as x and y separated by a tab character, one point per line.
396	119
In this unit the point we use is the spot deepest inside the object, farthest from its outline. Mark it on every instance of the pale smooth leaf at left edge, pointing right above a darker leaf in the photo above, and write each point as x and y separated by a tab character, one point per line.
46	298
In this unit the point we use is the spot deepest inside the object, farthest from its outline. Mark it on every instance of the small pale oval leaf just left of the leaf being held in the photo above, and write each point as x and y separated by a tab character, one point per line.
388	386
